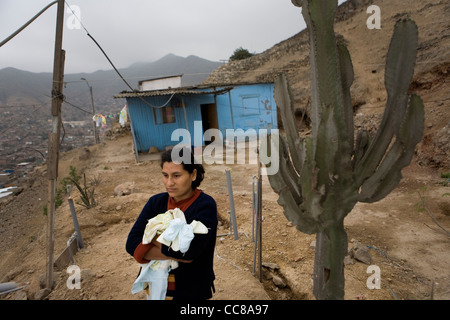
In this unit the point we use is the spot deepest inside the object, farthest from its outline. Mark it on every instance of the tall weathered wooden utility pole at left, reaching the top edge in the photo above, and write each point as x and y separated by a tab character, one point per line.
54	138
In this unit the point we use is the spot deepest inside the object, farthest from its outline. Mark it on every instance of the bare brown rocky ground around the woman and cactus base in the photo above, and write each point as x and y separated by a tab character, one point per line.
404	242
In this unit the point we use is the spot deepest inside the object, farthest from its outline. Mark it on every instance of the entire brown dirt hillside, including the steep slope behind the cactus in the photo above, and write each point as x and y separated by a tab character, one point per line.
410	249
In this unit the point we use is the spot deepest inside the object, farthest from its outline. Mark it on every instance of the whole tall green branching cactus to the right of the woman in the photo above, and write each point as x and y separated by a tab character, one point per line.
320	179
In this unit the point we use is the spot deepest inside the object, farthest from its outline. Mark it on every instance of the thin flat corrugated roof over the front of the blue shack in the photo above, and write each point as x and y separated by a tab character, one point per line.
172	91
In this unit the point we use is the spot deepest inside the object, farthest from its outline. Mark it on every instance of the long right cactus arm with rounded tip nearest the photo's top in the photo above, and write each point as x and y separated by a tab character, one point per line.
398	75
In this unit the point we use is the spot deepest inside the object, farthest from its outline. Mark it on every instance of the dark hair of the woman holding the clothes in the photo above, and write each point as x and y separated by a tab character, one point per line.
185	157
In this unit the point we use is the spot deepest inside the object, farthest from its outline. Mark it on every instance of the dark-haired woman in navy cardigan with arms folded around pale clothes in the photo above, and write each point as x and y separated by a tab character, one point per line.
194	277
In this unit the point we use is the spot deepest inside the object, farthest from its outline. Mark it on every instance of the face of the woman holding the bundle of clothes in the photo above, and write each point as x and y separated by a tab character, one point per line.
178	181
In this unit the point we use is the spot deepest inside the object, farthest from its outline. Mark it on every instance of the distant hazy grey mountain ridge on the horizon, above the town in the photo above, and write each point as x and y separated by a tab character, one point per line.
22	88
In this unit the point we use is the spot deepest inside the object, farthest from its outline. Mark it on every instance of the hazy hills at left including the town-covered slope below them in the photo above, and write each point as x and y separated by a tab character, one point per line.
25	100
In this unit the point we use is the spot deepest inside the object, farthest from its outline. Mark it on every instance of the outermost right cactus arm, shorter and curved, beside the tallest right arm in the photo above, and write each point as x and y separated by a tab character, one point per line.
388	175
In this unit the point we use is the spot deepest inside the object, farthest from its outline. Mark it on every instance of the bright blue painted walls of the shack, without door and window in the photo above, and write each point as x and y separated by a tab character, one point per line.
252	107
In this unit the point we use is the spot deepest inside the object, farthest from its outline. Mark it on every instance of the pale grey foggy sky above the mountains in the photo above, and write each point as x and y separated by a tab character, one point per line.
142	31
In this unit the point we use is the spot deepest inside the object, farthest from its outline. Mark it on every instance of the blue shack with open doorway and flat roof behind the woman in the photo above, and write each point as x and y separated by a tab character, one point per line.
156	114
